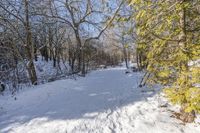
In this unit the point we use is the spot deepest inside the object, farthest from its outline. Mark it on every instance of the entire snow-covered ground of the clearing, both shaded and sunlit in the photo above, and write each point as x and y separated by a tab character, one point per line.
105	101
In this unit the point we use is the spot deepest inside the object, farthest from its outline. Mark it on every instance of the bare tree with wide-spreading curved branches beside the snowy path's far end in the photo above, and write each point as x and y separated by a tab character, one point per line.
90	14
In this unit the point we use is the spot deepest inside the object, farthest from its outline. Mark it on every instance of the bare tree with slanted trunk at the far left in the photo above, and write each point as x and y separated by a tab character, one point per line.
18	22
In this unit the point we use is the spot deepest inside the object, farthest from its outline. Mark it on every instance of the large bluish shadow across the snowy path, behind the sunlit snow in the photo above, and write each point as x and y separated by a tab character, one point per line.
82	99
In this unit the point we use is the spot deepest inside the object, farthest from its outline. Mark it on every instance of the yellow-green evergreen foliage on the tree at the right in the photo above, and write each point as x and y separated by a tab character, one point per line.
168	32
